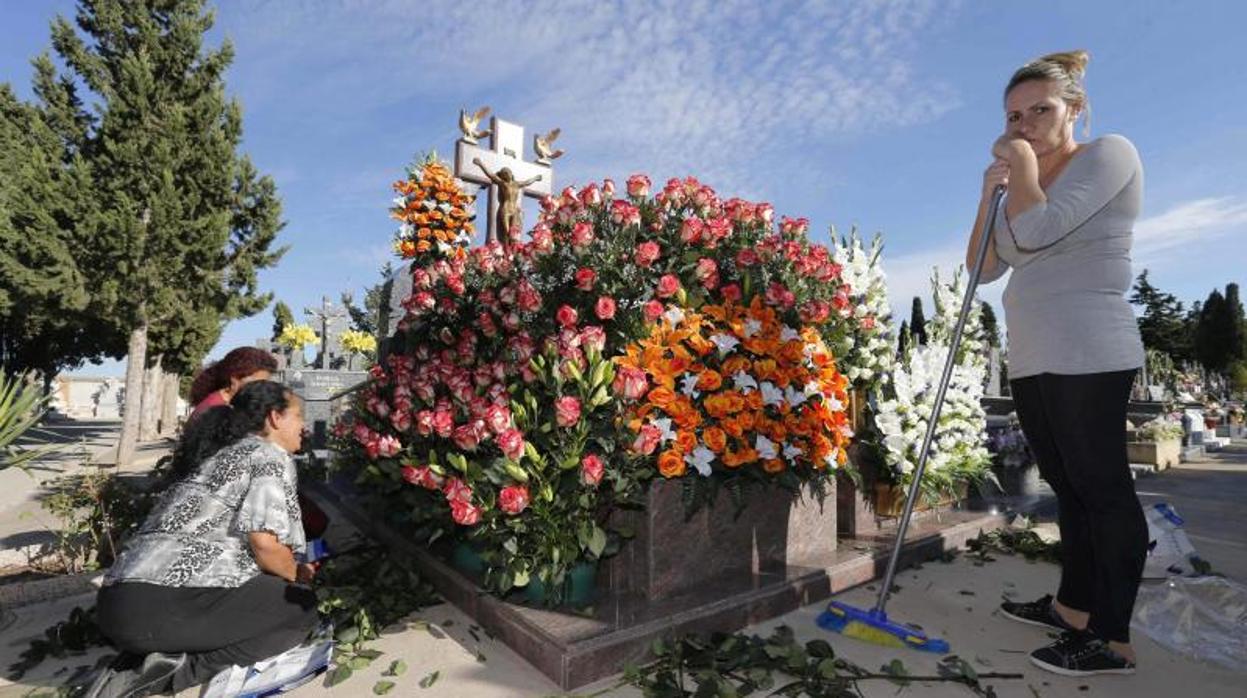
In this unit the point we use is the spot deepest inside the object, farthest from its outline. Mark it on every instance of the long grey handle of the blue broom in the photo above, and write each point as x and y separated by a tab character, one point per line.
933	423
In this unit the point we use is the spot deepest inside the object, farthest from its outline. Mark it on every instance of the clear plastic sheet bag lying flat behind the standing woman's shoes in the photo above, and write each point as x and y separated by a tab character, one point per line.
1201	618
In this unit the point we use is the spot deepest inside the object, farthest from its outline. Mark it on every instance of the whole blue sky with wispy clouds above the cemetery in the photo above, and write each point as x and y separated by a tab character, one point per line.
877	115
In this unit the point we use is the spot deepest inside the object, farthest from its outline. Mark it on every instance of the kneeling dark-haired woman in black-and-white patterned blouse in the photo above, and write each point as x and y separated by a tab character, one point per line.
211	579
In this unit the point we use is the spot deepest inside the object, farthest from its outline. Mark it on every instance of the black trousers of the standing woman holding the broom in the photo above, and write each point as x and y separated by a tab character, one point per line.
1077	428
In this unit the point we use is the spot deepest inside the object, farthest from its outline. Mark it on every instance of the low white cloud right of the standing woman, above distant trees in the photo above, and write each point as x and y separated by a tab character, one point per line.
1189	226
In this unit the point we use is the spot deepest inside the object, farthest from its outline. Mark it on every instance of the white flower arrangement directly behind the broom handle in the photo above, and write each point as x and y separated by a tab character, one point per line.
960	453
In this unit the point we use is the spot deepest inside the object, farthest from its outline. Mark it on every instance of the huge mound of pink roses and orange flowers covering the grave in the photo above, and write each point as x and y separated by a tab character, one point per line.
548	382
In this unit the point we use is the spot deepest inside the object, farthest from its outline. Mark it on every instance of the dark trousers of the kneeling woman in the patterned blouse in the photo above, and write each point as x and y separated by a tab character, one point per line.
216	628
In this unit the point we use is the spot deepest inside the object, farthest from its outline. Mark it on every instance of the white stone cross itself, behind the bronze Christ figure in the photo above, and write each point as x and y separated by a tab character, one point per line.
507	150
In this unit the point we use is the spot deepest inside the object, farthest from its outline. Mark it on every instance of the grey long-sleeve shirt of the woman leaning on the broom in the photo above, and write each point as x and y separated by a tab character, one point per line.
1066	304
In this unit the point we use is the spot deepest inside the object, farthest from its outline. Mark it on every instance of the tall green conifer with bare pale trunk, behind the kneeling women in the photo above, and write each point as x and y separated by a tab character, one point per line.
184	222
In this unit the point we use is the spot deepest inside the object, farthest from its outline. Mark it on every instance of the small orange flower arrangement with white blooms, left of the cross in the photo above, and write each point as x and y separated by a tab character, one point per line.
433	214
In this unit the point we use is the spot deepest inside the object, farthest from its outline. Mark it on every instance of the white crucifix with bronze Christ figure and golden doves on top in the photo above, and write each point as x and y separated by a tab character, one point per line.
503	170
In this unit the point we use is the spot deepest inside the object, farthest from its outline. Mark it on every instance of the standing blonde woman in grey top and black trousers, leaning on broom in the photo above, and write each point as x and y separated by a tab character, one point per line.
1074	350
